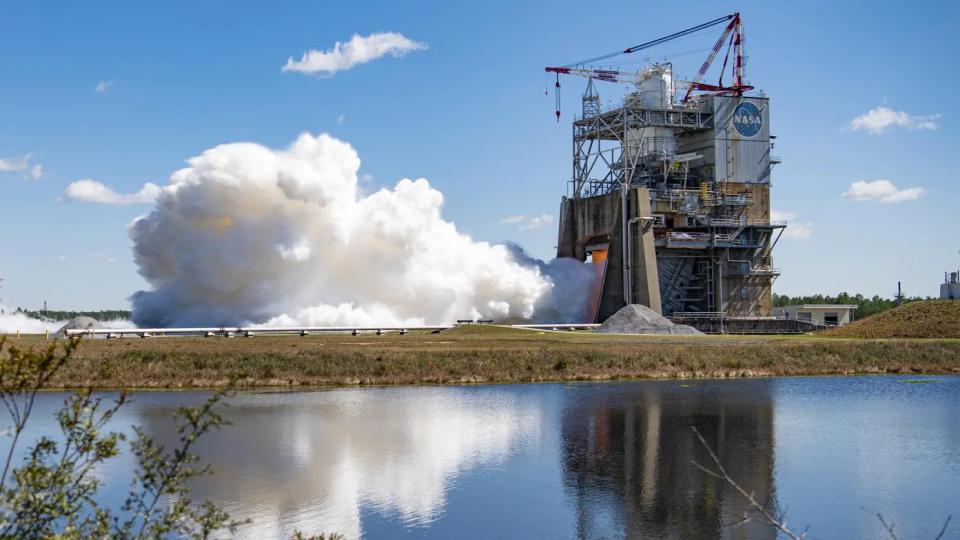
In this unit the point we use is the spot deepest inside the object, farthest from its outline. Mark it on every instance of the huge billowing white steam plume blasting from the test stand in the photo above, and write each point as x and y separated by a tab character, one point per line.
250	235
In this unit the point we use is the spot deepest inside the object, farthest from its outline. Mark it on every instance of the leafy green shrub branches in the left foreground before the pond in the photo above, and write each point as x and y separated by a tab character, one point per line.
51	493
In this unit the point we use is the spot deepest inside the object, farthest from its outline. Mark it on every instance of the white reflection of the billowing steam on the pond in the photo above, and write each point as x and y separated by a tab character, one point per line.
313	461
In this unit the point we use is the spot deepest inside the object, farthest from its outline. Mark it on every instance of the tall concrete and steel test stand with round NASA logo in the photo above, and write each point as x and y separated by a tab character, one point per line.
670	195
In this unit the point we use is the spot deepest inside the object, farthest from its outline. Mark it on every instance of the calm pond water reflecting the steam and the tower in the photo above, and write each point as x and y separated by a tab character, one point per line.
592	460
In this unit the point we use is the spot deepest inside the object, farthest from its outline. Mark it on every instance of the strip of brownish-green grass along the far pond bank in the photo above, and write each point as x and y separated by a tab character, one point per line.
478	354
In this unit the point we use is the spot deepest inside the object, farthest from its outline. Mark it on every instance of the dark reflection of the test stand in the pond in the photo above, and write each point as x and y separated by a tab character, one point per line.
628	462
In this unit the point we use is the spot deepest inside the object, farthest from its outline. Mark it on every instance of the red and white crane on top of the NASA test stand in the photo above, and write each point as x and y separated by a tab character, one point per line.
732	35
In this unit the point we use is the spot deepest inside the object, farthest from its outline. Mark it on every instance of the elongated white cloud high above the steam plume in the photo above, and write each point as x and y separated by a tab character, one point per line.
359	50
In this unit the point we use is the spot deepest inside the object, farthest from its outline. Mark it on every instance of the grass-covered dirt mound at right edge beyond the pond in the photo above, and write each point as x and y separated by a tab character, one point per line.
927	319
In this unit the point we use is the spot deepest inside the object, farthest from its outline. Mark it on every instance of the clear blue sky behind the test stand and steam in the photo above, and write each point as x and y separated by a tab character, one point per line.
468	113
